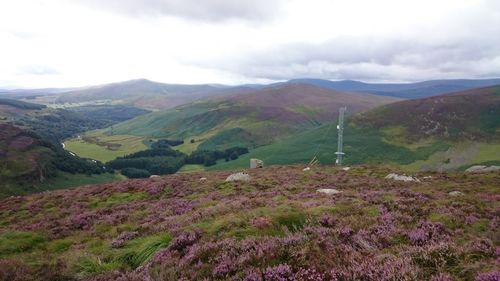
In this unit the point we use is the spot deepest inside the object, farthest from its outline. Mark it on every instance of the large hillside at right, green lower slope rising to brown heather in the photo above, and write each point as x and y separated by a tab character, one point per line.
446	132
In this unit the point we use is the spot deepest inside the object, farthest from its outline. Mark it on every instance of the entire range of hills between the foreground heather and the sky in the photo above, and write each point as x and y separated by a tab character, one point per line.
280	123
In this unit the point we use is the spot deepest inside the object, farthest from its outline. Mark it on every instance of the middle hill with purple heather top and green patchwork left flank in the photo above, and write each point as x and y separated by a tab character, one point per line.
250	119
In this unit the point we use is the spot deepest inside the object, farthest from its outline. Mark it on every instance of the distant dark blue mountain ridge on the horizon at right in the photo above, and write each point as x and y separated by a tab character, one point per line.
403	90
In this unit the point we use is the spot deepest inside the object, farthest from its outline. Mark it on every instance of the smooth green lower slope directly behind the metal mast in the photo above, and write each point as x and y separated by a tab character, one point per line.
361	145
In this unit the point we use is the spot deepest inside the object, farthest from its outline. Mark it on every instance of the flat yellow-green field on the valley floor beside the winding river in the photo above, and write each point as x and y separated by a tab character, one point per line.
96	145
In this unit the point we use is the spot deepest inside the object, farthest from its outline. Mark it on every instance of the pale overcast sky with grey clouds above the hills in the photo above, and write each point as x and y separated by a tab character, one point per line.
67	43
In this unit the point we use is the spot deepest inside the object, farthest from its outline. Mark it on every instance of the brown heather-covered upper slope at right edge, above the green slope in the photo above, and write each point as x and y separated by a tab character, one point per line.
472	114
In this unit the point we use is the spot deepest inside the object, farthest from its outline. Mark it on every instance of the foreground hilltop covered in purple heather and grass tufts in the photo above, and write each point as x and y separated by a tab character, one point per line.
276	226
